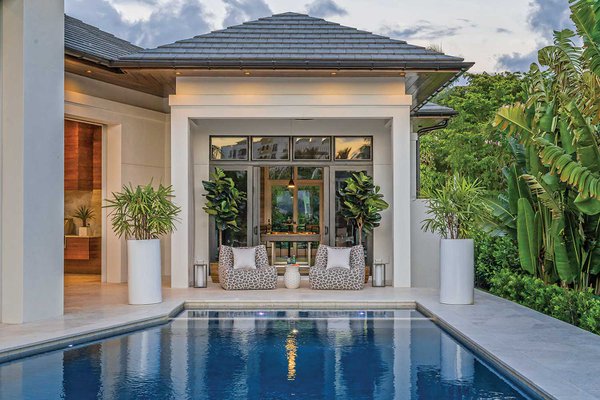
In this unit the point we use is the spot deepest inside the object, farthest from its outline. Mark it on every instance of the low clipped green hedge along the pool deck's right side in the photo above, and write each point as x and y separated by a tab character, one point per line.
580	308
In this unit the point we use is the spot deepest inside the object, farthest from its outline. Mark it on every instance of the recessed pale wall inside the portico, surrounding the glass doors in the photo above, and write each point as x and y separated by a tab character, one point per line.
378	128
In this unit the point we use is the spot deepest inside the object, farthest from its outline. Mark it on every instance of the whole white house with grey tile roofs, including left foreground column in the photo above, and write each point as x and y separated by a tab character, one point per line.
284	97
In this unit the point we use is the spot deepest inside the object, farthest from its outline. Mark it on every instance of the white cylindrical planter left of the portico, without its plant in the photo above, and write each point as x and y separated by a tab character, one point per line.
144	272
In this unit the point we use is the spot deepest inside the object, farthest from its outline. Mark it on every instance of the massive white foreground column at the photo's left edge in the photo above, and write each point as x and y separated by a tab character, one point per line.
32	159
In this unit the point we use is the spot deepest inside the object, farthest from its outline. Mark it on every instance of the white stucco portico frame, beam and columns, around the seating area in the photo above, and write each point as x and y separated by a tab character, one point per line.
322	99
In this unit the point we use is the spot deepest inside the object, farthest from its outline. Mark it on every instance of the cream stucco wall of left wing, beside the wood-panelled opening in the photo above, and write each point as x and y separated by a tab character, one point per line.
136	151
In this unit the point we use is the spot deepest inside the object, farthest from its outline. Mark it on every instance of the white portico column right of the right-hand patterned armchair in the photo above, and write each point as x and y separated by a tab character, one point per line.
402	173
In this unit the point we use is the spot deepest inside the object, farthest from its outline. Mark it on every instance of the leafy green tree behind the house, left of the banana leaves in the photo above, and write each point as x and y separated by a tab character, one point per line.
470	145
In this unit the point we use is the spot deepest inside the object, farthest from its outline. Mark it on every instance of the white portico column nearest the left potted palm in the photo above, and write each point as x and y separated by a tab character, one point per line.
181	239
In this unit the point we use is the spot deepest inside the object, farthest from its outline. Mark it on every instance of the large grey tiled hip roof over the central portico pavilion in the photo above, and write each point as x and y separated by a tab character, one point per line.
291	40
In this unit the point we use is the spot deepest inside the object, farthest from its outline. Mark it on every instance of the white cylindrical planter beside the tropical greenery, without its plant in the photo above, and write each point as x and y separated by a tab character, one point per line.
457	272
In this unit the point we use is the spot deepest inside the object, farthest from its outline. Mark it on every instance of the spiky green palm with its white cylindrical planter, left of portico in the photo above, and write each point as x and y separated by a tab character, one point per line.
142	215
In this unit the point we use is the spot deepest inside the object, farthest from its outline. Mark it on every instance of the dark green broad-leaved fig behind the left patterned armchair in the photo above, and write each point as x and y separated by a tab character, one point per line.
223	201
